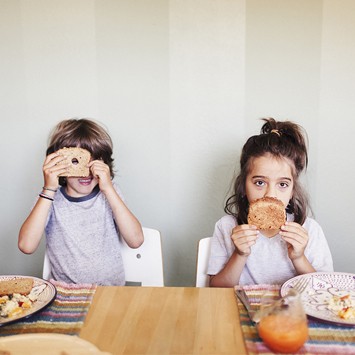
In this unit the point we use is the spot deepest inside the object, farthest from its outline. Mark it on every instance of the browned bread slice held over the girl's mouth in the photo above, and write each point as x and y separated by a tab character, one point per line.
267	213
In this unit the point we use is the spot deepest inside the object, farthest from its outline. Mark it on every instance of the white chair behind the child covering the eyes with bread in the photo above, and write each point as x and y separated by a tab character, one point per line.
143	265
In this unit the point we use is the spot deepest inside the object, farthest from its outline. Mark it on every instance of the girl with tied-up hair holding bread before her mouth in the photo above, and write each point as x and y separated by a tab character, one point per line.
270	165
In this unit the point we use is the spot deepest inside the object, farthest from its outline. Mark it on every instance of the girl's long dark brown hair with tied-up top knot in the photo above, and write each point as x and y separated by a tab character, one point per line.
281	139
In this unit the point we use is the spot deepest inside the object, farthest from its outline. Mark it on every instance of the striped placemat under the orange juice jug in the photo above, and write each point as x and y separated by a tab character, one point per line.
324	338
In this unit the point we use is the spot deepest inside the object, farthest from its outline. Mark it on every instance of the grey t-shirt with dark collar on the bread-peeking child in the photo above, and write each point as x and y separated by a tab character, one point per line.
83	241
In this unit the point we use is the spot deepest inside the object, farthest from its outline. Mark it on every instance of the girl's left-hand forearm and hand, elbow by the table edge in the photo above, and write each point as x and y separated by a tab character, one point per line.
243	237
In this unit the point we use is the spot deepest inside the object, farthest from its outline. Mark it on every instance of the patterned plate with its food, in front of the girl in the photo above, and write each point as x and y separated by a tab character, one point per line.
328	296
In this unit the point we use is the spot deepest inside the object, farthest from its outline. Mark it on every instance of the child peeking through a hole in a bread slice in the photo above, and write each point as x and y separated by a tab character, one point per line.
84	218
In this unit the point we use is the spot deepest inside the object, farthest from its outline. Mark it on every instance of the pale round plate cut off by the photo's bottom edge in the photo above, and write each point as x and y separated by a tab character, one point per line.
47	343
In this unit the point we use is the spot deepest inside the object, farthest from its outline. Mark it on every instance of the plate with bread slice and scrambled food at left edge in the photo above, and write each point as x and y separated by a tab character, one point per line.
23	296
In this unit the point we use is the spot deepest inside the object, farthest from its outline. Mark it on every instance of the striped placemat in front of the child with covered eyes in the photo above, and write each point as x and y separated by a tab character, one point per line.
65	315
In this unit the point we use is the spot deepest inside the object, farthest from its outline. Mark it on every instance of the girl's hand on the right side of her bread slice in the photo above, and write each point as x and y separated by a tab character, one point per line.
296	237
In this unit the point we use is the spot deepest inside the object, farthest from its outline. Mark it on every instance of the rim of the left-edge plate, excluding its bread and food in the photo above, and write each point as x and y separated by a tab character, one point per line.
45	297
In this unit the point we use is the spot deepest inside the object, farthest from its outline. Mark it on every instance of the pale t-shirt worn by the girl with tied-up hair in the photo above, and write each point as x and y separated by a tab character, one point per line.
268	262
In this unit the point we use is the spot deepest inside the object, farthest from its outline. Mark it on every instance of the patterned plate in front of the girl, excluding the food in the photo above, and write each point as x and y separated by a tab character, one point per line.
322	286
